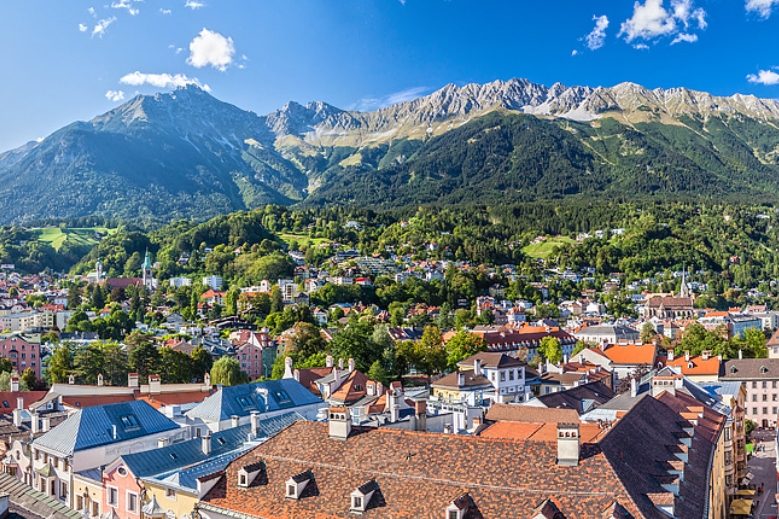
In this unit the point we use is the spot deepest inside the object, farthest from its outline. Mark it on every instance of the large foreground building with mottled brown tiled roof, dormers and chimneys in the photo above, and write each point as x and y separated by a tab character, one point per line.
335	470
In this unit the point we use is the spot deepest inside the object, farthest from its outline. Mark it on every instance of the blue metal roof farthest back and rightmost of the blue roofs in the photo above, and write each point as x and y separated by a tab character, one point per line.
242	400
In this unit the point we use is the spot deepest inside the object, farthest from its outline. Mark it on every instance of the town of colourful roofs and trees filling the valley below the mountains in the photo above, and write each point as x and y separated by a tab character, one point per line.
123	398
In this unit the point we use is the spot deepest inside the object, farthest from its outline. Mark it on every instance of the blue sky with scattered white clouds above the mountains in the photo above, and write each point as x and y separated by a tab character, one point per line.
63	61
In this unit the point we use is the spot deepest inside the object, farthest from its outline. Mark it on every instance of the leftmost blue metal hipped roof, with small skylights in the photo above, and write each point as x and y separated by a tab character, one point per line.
93	426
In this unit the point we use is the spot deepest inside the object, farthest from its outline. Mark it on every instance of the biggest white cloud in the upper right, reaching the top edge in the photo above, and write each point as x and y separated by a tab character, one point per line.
651	20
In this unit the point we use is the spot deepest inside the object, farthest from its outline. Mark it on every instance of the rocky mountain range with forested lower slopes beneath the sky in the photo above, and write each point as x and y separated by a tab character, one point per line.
185	154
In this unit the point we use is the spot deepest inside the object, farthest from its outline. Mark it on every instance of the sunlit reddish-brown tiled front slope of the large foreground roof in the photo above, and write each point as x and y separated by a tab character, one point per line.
503	478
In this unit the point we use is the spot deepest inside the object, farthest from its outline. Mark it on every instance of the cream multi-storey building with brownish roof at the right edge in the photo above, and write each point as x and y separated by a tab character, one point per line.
760	378
